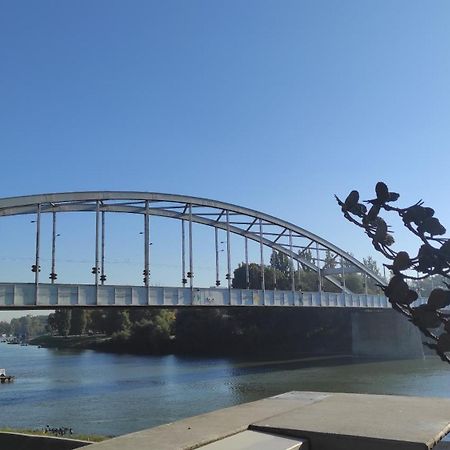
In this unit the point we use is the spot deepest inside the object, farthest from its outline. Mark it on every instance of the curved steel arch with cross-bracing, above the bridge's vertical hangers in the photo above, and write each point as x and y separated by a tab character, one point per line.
272	232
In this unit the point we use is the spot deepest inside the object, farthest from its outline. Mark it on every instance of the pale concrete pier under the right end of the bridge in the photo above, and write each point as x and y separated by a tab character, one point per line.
384	333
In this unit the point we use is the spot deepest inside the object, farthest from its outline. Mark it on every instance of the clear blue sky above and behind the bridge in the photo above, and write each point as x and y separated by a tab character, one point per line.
272	105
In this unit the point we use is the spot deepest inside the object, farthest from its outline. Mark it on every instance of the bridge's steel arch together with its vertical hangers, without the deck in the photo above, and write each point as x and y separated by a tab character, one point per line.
263	228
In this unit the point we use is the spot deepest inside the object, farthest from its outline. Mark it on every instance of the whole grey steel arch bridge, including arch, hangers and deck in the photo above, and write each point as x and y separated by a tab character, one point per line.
328	261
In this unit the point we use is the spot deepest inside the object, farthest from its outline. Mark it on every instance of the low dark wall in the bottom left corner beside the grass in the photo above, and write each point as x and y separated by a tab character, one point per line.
19	441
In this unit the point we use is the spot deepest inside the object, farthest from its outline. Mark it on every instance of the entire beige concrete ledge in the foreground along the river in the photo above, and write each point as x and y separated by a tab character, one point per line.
329	421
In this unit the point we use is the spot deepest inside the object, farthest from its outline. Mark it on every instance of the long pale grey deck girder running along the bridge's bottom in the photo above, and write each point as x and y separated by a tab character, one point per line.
25	295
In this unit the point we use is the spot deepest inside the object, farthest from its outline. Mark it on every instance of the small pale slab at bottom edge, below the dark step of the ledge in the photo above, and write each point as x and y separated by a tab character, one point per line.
254	440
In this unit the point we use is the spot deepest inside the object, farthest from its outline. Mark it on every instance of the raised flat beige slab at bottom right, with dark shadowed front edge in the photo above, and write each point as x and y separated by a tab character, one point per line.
369	422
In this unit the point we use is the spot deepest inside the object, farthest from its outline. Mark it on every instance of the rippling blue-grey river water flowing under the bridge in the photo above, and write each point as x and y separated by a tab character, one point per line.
109	394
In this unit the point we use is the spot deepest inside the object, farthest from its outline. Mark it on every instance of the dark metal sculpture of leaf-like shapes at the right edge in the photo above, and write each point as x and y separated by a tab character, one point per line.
433	258
